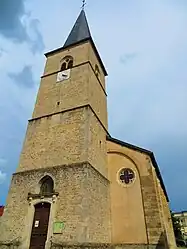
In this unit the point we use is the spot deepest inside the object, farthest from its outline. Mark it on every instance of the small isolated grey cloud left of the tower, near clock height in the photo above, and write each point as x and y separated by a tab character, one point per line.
23	78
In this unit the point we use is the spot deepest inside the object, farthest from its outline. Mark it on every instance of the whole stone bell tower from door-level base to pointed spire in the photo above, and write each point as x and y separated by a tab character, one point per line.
62	172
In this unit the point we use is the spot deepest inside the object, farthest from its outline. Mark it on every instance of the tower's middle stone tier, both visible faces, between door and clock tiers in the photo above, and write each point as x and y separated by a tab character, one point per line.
65	138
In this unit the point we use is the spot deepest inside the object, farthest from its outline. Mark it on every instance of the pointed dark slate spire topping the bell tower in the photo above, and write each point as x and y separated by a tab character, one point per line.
80	31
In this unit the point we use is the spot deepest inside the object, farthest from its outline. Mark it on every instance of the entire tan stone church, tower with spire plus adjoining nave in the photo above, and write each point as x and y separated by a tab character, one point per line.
76	186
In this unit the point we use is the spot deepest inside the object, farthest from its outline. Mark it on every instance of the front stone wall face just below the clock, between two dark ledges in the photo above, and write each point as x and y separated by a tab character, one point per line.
59	96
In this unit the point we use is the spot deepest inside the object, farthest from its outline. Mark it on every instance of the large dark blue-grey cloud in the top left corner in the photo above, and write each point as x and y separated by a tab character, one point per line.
18	25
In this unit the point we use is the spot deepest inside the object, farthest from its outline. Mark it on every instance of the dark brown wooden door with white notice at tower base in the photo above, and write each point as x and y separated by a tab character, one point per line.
40	226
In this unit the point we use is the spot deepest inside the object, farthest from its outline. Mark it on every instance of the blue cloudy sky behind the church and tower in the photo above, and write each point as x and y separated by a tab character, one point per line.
143	45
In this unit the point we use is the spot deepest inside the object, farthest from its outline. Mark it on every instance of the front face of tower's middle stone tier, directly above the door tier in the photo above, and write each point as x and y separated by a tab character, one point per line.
55	140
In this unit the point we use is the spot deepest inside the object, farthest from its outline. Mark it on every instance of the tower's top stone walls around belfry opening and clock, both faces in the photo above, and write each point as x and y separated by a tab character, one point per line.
83	87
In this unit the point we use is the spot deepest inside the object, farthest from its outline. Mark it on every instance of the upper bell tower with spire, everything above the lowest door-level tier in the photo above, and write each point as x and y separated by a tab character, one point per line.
69	122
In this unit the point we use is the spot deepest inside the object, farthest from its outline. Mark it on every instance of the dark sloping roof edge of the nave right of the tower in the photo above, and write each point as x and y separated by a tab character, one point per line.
148	152
